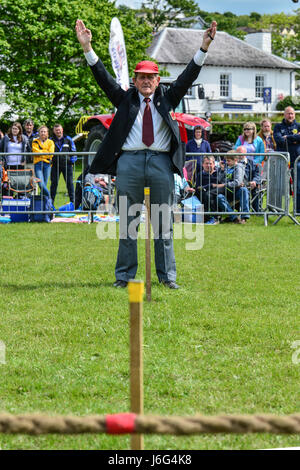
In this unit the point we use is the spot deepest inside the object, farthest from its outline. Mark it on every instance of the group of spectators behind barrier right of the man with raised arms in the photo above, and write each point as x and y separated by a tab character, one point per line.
232	183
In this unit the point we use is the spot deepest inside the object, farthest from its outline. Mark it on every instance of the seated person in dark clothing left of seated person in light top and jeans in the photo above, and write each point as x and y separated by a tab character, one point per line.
204	185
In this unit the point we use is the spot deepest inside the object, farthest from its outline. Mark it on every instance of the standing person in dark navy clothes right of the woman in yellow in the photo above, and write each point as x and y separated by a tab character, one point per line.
62	163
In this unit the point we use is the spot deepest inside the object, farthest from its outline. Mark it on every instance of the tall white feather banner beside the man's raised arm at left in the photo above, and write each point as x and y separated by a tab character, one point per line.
118	55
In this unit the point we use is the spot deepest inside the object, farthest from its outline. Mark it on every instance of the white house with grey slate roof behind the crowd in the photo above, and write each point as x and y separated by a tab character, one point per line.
236	75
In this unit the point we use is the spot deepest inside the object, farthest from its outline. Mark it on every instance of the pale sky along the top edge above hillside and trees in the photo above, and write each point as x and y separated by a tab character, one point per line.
238	7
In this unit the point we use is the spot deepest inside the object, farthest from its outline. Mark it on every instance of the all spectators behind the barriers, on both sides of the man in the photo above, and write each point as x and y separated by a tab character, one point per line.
225	184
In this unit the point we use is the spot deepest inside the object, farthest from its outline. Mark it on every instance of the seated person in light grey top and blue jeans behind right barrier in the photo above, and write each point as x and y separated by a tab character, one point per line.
231	190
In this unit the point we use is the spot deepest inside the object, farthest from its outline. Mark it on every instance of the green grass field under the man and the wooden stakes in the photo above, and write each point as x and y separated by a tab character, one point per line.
221	344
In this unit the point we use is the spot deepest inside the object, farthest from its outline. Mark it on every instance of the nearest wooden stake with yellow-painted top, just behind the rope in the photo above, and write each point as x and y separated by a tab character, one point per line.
136	291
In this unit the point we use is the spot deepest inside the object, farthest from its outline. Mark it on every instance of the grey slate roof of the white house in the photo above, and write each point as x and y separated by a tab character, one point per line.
178	46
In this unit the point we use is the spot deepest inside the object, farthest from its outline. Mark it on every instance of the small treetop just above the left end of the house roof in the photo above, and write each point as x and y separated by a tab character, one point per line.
172	13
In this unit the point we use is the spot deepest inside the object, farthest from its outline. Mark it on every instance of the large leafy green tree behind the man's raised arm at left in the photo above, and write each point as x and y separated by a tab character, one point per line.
42	63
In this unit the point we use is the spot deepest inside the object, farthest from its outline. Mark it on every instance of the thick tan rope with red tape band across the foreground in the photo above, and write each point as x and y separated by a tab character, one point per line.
129	423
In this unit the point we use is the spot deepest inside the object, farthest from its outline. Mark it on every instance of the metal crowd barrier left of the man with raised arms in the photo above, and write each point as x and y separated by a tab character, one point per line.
20	188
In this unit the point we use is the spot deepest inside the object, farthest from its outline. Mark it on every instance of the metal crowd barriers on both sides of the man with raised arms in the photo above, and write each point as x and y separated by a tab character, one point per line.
272	197
